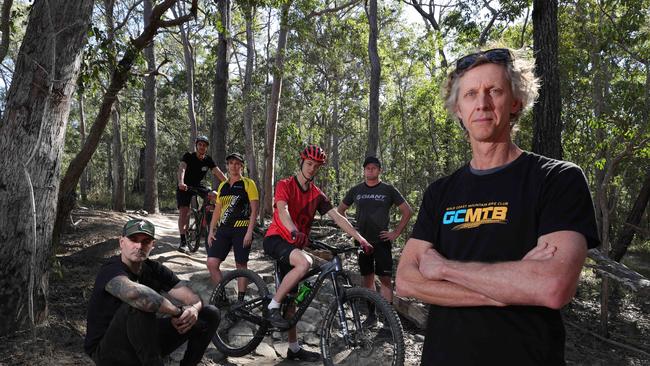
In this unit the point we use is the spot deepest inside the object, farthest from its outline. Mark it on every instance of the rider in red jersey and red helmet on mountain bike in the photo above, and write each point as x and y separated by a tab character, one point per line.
296	201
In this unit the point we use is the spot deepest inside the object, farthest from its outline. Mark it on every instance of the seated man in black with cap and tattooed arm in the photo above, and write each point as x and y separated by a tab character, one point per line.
123	326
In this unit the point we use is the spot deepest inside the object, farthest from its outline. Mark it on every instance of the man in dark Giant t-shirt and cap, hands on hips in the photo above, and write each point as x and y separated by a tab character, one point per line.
374	199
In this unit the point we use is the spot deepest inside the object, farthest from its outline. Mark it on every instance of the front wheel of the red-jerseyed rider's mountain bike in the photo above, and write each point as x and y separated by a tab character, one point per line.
366	332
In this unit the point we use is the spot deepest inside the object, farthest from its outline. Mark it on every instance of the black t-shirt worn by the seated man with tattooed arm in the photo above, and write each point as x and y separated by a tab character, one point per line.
102	305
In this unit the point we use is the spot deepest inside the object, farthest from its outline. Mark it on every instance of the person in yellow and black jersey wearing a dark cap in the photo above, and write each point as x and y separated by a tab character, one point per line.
235	212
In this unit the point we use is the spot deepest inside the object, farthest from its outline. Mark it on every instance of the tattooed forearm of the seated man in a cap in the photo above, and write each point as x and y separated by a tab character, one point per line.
140	296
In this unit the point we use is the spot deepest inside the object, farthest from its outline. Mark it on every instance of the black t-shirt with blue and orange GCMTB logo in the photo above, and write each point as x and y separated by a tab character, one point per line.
493	218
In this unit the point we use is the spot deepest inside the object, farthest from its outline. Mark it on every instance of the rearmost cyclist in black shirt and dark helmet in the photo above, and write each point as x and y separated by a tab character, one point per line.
191	171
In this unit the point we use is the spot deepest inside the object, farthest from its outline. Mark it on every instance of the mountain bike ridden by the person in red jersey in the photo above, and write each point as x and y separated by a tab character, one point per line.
348	334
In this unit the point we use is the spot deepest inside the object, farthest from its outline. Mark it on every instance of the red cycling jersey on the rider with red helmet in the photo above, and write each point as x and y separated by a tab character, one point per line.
302	207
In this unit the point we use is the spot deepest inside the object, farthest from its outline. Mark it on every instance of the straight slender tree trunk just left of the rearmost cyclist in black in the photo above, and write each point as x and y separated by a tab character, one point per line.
151	124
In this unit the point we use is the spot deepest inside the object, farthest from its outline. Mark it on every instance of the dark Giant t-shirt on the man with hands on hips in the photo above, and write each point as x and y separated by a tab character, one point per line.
373	207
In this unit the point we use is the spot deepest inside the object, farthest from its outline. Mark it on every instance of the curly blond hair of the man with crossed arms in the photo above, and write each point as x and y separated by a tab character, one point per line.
520	72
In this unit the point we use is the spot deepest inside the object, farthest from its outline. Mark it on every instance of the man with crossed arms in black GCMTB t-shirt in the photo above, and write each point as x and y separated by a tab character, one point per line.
498	245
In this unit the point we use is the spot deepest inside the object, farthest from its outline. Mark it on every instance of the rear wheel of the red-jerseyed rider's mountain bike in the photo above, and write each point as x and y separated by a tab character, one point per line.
242	326
